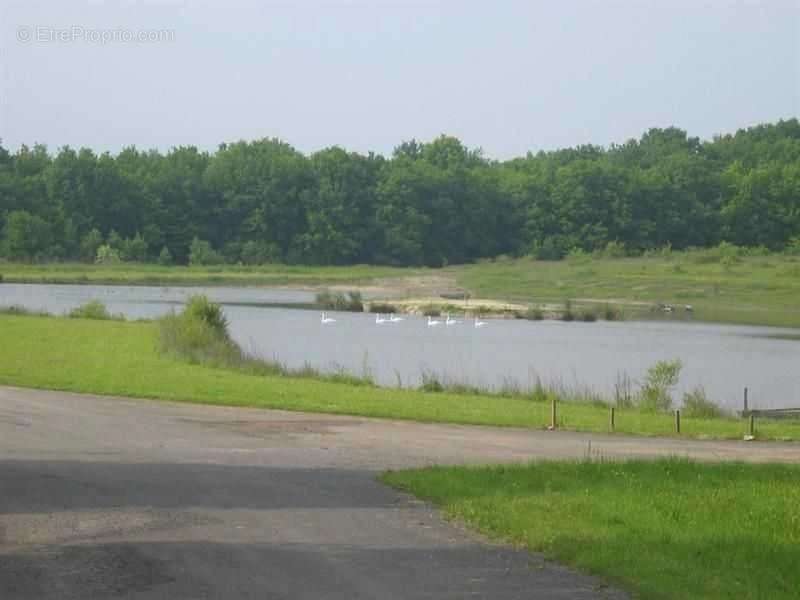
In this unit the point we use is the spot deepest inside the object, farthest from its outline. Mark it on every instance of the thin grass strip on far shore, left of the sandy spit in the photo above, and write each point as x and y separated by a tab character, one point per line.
144	274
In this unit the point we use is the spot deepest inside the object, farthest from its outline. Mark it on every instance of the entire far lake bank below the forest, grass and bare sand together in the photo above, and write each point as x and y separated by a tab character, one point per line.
721	287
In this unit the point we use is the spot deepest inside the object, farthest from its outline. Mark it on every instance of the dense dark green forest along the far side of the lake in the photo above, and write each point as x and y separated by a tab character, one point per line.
432	204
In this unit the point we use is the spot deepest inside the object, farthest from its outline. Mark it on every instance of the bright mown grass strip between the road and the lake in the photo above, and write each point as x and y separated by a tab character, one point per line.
123	358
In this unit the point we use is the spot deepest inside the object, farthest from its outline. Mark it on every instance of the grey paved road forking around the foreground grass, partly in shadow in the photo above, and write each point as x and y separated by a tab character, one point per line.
113	498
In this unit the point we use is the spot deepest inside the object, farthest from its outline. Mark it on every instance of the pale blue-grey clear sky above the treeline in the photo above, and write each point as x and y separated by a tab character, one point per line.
506	76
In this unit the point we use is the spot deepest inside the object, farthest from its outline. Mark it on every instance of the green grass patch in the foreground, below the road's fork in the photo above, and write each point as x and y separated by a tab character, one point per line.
669	529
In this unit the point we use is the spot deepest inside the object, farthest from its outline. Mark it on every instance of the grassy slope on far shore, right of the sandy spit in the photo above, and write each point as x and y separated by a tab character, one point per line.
759	290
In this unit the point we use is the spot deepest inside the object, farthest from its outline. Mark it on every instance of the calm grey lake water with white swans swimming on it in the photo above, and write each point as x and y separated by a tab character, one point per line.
722	358
